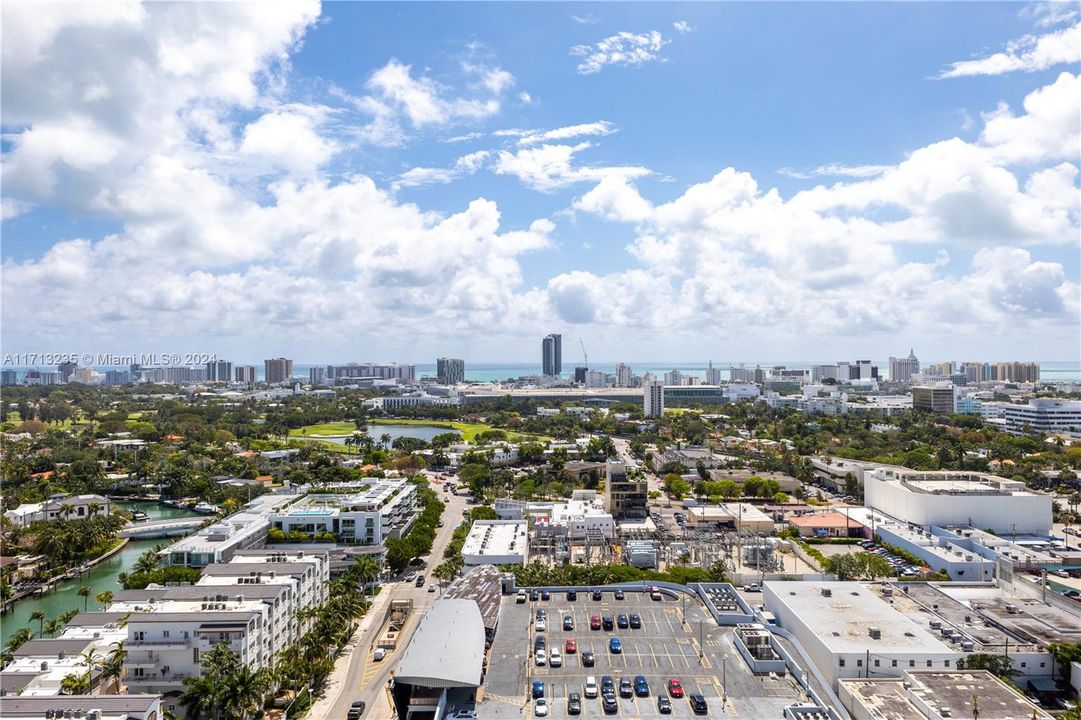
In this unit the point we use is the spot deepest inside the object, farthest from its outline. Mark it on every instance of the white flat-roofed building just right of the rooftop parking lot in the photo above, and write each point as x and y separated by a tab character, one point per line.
848	632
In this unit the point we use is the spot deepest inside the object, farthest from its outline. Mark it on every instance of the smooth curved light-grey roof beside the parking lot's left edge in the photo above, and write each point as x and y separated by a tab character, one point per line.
448	649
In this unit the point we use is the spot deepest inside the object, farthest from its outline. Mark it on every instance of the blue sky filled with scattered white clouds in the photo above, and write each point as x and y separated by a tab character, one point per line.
249	191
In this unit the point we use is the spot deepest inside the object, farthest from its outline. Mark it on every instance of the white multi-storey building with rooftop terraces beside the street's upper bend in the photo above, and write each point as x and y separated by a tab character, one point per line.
366	516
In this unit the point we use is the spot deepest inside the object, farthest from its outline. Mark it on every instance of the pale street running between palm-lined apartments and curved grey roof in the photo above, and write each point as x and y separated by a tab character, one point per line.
355	676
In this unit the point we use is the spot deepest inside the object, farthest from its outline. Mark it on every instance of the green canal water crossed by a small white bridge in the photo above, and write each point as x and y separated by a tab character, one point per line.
100	578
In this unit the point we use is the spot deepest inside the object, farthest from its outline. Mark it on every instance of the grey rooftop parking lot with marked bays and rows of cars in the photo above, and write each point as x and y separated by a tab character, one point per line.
699	654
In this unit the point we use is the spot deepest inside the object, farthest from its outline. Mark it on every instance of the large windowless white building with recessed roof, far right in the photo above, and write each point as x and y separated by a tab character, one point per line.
957	499
